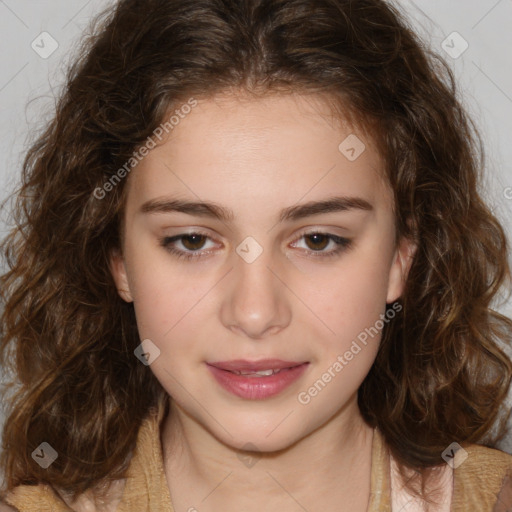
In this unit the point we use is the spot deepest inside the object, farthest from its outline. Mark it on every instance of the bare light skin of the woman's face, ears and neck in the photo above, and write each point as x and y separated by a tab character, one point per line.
256	157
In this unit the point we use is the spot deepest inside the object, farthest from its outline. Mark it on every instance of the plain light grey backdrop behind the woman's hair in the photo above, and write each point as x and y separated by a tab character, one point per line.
39	38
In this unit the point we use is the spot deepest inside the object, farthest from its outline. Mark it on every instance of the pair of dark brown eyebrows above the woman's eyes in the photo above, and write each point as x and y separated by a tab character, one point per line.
291	213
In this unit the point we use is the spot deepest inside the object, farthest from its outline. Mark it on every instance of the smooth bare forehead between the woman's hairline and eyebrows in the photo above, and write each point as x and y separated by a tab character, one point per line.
275	149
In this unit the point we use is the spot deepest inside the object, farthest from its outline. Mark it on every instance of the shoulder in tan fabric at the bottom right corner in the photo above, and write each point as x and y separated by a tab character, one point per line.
482	477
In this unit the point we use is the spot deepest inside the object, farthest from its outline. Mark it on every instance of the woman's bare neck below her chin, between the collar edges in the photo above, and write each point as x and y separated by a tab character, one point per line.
330	468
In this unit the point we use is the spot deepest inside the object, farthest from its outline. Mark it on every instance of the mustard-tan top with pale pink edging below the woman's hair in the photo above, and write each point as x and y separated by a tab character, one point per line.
481	483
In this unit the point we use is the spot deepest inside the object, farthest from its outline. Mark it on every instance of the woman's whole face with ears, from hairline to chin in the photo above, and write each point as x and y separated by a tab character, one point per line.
294	259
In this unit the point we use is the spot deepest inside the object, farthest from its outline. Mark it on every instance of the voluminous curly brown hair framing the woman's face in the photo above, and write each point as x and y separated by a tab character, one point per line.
439	376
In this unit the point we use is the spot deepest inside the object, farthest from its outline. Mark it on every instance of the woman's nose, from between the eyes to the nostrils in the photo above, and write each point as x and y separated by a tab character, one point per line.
255	298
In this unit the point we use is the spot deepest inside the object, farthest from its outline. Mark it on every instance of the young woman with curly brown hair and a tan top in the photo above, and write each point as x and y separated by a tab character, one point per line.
252	271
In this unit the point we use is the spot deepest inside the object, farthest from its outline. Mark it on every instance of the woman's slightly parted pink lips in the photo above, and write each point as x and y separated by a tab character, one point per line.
256	388
